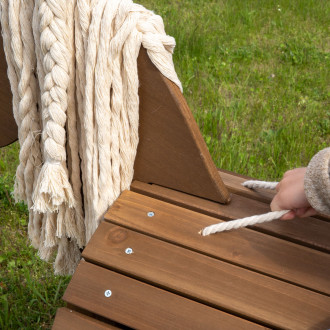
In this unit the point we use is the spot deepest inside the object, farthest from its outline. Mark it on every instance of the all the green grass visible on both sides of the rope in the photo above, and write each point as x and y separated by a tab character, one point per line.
256	76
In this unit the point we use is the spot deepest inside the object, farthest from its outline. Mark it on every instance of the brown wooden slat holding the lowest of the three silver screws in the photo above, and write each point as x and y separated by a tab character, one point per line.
142	306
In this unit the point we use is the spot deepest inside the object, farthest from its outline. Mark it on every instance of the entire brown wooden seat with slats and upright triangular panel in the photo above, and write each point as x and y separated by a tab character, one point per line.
147	267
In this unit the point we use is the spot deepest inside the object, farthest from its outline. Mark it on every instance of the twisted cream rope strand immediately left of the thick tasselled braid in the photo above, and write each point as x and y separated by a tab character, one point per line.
30	151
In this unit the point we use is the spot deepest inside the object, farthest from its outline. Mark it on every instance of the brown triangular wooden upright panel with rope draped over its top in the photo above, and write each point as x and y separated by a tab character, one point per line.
171	151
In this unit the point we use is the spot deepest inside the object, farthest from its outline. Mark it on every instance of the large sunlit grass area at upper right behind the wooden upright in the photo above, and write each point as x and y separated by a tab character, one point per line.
256	76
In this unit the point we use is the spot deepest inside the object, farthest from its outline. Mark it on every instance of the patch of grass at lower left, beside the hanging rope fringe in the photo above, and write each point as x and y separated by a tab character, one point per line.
29	292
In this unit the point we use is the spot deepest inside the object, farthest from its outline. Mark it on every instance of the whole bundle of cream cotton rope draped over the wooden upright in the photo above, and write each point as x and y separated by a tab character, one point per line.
72	66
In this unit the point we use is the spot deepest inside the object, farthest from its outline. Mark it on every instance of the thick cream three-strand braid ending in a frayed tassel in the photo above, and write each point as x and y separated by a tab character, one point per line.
53	188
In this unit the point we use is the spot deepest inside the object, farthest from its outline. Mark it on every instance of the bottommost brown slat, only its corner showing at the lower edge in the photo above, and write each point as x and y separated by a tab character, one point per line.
68	319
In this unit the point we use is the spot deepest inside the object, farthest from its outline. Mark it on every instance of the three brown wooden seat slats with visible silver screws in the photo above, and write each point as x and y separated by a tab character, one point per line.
172	277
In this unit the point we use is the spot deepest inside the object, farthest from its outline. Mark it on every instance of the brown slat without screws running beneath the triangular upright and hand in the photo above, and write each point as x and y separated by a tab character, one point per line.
310	232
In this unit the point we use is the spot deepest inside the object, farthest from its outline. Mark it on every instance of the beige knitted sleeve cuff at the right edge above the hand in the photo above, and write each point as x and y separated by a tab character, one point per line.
317	182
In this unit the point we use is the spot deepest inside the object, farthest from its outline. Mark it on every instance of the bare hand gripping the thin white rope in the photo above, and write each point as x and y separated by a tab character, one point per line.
291	196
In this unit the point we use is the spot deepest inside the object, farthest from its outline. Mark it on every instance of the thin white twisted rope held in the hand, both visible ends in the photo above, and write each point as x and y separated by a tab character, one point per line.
248	221
